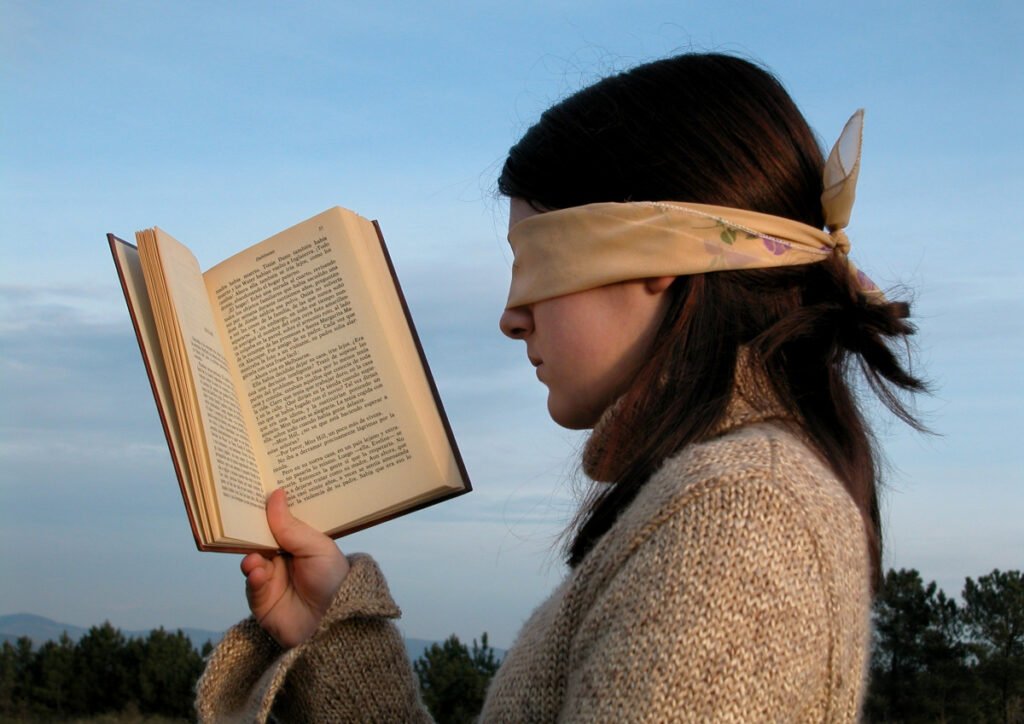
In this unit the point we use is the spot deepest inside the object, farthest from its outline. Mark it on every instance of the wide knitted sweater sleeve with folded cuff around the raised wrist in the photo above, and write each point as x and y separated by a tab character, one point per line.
354	668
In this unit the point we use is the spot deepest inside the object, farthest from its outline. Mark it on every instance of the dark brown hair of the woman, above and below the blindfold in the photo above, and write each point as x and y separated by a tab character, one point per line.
718	130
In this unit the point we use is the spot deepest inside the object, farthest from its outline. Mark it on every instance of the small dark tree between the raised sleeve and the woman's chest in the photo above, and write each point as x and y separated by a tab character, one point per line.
454	679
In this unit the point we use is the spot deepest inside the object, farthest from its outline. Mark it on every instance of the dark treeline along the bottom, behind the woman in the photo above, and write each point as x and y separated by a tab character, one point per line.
933	660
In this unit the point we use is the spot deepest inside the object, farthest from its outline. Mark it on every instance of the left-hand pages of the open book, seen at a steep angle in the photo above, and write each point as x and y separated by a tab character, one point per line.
207	398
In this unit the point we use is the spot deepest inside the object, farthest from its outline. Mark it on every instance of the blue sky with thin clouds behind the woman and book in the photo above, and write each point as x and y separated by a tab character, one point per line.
225	123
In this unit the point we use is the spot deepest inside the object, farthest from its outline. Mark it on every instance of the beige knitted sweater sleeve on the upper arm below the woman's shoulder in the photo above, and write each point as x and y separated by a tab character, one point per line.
721	613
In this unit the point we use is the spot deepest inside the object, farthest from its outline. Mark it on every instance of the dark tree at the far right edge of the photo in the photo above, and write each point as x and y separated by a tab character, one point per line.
994	613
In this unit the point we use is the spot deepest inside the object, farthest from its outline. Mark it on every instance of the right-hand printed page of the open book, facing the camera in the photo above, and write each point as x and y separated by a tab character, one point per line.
332	409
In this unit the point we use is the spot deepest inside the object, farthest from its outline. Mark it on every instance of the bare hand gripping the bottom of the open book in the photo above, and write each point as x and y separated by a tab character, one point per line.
289	593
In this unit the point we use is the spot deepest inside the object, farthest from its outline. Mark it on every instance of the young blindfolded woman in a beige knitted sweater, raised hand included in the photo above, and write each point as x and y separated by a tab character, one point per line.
676	293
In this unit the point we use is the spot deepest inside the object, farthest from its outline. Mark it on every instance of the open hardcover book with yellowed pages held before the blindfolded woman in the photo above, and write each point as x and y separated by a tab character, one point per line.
292	365
